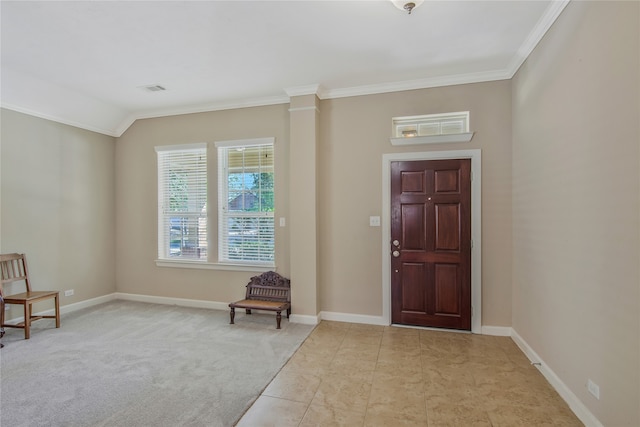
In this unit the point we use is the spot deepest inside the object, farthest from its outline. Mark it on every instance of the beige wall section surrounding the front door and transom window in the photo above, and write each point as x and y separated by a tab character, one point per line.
354	135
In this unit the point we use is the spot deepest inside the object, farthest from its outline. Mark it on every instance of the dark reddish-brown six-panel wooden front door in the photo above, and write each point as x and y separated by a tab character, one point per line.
431	243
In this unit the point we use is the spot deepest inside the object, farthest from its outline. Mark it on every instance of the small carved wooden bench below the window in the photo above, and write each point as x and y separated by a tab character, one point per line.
268	291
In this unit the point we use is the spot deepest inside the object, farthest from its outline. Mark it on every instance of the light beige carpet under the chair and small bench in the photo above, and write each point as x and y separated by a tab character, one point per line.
134	364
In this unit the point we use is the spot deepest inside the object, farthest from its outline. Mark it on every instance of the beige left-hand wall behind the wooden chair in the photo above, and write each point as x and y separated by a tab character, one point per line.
58	205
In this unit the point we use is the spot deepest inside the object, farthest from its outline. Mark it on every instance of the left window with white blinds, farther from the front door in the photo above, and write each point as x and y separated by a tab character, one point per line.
182	202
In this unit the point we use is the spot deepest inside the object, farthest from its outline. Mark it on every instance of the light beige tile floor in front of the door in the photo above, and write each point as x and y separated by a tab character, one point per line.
361	375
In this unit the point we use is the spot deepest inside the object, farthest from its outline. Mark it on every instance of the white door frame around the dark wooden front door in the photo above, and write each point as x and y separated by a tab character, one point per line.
476	226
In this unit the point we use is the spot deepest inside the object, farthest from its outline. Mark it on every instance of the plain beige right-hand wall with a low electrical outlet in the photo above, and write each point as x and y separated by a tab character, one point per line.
576	206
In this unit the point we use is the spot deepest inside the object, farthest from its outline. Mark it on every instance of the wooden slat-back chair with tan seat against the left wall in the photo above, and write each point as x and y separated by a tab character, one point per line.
14	269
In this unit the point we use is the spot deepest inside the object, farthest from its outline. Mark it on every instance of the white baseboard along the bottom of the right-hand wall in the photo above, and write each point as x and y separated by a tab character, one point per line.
572	400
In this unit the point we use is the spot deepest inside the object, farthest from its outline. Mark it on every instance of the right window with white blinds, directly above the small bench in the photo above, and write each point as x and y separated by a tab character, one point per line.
246	201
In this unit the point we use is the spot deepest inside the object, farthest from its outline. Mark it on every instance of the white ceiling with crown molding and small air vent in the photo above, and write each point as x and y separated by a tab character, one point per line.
84	62
